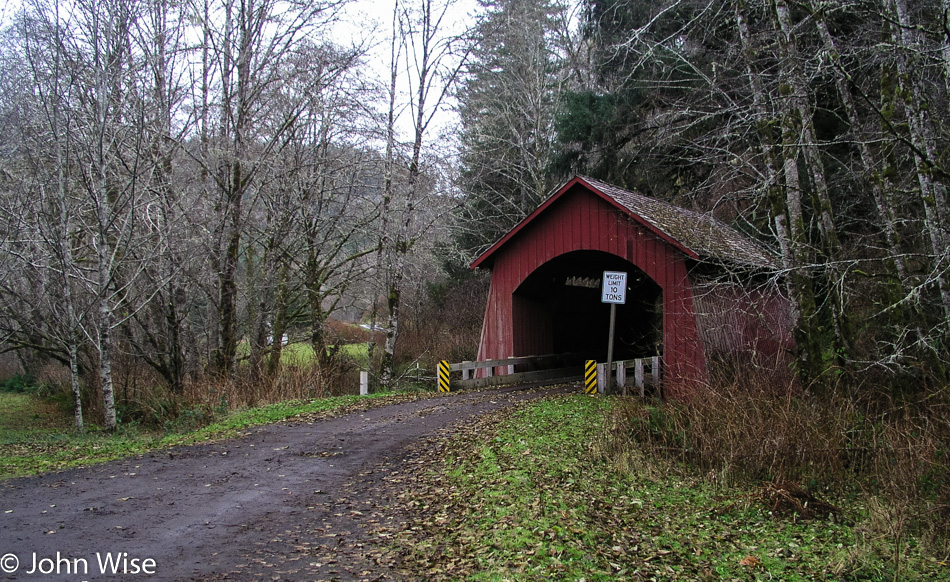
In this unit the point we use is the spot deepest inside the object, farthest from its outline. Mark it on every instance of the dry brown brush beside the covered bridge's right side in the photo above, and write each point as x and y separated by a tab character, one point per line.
894	454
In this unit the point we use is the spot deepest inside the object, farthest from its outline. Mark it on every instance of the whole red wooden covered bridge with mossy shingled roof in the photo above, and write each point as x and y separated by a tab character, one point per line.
696	288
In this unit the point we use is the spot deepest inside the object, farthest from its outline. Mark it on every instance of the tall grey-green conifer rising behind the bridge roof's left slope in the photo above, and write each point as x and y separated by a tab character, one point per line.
507	109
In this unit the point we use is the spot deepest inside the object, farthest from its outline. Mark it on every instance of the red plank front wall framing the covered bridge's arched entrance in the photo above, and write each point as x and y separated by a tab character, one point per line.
582	220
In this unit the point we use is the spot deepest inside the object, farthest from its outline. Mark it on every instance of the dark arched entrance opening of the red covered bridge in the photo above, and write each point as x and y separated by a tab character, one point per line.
558	309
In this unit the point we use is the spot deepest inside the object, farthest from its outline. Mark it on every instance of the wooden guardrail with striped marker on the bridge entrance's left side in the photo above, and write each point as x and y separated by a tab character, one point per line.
506	371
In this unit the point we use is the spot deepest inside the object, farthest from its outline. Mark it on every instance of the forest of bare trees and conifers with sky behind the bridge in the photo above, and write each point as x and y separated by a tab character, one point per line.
185	183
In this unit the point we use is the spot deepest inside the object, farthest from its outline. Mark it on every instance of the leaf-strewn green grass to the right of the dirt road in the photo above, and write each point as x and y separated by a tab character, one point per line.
534	497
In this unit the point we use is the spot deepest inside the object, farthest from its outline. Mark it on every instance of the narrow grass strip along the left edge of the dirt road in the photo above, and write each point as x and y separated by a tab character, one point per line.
30	445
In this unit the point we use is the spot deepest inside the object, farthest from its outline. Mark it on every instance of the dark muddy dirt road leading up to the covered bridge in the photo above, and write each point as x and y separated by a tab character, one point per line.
292	501
